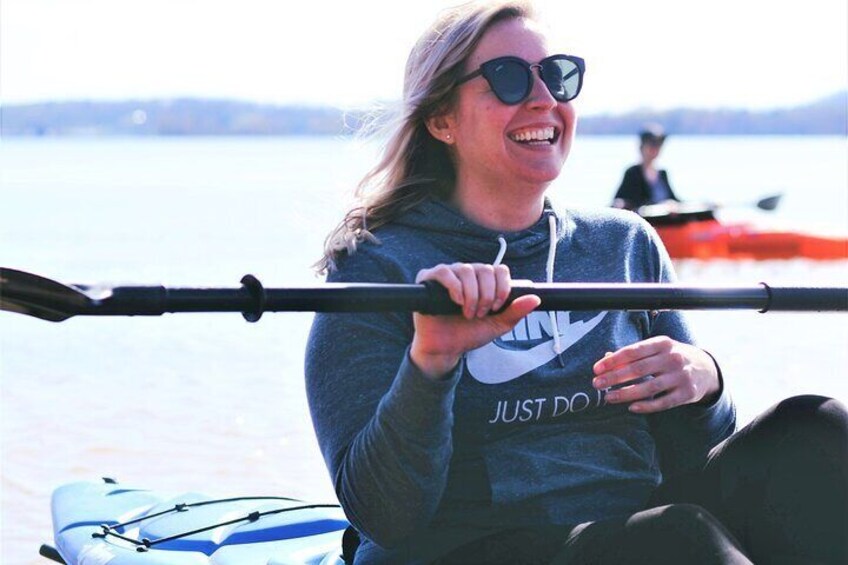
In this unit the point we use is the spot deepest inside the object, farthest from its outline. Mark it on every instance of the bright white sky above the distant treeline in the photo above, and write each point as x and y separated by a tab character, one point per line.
640	54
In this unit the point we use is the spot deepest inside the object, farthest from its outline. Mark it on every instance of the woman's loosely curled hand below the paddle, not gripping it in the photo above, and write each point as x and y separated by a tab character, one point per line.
682	374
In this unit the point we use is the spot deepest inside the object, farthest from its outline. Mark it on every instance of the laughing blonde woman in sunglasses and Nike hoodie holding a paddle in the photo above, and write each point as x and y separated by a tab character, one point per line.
519	436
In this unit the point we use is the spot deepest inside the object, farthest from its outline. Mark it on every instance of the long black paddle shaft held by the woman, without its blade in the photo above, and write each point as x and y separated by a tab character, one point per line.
434	299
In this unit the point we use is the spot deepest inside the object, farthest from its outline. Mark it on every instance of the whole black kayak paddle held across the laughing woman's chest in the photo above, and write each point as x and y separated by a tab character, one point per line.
46	299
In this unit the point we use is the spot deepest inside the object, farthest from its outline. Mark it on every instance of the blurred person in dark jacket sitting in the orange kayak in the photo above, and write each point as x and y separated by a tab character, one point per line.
643	183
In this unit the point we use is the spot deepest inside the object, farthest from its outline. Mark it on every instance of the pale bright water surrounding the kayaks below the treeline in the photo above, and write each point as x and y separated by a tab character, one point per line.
209	403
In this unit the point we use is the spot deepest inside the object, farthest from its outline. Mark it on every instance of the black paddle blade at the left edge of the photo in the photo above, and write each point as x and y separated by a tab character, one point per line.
25	293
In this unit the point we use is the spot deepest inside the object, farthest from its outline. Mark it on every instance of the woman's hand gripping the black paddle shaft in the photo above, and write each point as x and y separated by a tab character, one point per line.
440	341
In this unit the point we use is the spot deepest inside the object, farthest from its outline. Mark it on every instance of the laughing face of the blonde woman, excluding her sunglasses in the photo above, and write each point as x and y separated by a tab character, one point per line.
491	138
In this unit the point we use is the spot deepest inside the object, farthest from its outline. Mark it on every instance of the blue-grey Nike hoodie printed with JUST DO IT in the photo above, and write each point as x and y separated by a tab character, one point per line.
517	436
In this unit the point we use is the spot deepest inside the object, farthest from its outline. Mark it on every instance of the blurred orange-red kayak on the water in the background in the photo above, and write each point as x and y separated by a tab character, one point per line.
698	234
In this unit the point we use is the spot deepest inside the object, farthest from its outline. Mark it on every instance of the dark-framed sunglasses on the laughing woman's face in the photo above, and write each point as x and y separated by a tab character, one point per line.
511	78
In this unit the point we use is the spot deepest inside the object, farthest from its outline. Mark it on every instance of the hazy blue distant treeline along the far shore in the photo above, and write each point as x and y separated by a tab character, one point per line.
828	116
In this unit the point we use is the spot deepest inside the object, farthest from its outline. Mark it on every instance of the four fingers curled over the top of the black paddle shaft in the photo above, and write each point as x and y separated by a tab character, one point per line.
479	288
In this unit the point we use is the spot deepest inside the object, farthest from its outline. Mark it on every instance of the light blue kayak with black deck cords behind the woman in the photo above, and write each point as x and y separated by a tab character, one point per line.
107	523
